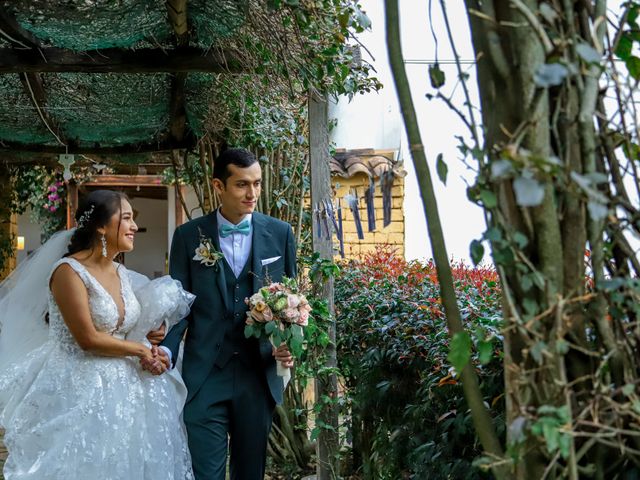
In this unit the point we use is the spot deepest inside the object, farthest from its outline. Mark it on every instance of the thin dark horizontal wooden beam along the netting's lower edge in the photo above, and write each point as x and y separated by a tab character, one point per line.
6	148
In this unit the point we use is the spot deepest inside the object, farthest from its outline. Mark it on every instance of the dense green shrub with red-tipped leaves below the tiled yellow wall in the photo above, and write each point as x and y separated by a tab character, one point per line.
407	416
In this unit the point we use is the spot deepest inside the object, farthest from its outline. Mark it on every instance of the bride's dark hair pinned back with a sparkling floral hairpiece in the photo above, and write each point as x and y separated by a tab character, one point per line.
94	212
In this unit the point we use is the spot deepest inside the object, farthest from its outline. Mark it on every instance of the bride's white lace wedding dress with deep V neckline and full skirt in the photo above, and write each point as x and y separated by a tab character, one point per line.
69	414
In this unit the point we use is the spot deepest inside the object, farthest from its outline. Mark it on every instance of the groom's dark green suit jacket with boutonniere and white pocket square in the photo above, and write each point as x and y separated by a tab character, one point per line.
206	324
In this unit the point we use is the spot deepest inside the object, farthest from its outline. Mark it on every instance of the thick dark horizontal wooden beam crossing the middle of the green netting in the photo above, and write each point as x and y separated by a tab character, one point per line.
117	60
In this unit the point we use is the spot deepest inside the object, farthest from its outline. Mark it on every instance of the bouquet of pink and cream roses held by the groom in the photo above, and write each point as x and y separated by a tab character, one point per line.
278	313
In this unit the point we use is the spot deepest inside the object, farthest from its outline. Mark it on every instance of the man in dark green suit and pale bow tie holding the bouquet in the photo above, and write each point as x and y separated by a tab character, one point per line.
231	380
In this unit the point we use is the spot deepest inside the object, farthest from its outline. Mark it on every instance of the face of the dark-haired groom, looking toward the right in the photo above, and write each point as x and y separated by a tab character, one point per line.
240	193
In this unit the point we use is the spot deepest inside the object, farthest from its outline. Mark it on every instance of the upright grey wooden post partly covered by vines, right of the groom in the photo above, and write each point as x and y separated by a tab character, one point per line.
326	385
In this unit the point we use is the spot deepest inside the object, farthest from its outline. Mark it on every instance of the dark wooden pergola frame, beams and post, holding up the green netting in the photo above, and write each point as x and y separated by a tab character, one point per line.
31	59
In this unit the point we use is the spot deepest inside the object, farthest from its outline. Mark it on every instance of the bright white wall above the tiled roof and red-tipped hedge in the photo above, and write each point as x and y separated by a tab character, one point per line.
373	121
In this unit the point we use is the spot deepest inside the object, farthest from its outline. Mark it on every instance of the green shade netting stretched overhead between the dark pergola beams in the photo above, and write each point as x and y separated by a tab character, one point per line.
110	109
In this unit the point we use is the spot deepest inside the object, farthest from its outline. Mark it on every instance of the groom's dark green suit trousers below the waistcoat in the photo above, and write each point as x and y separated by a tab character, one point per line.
233	410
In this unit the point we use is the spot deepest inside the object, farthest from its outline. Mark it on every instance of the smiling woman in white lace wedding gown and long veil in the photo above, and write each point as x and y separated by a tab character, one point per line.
75	402
